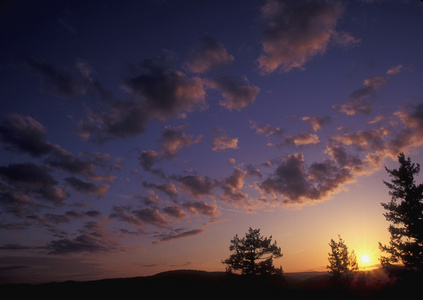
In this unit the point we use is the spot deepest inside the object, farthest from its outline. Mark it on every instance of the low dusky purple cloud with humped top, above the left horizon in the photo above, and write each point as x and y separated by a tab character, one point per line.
93	238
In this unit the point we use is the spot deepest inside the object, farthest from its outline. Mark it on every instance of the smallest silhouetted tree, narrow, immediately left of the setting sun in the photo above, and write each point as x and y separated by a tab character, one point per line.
342	264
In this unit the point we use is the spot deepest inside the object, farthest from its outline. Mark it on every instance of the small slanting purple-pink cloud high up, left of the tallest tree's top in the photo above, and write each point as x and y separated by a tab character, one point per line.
357	104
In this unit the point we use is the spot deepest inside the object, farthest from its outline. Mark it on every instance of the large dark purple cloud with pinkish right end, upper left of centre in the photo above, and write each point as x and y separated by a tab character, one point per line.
159	93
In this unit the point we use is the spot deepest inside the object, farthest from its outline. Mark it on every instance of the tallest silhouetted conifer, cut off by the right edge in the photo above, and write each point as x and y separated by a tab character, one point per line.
405	212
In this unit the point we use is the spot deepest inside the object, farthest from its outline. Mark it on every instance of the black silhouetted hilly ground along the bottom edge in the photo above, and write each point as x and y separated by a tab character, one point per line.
207	285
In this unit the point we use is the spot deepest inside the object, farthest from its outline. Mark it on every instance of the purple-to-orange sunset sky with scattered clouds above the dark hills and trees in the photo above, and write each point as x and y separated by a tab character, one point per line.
141	136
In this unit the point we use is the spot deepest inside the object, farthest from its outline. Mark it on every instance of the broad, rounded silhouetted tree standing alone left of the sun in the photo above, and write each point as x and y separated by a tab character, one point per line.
253	254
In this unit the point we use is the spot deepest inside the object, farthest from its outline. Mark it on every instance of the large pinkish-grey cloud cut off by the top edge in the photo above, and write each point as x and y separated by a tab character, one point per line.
295	31
